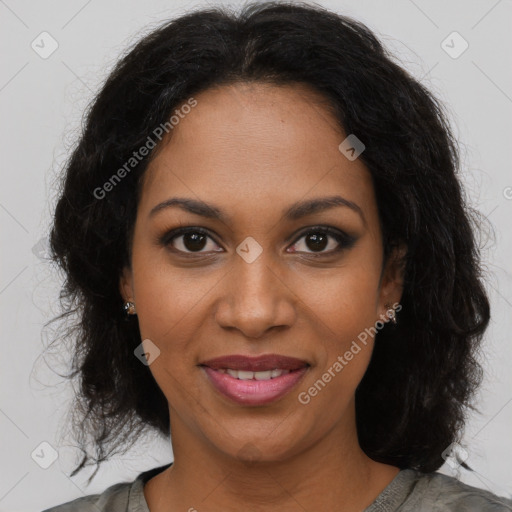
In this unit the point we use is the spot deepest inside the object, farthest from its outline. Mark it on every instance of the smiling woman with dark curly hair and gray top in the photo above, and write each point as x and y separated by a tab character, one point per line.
265	239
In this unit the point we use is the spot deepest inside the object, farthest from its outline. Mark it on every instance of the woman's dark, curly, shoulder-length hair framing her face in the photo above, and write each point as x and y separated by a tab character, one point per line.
413	400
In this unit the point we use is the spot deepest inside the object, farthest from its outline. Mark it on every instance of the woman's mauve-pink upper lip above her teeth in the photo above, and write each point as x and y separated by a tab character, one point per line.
255	364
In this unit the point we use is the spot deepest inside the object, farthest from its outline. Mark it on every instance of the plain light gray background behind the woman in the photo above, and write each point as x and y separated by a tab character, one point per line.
41	103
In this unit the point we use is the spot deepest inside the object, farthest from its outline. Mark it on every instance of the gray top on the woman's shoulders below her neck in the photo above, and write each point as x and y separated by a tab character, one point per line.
409	491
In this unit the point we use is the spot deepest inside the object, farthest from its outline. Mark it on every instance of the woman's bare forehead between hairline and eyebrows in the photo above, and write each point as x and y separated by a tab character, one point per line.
256	144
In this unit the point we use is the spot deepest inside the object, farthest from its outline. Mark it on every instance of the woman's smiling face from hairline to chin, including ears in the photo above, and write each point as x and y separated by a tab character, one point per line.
253	282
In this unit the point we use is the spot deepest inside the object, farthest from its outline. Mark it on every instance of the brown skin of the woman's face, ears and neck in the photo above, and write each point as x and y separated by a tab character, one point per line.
253	150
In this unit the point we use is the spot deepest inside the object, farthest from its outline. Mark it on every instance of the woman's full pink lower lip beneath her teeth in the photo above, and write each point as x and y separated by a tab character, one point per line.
254	392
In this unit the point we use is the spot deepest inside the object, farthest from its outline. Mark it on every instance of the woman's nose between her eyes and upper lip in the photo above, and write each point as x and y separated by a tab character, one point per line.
255	299
